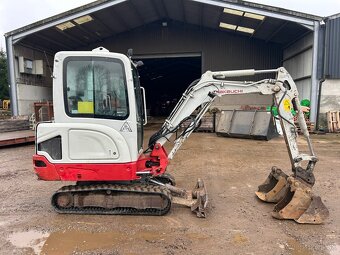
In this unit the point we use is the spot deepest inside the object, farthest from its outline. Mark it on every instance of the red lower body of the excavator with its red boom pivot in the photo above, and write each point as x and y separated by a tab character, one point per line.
101	172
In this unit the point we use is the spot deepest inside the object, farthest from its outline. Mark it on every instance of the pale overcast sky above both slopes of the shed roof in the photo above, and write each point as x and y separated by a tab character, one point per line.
17	13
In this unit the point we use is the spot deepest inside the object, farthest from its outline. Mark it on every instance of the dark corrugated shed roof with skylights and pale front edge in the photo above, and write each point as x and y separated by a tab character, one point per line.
113	17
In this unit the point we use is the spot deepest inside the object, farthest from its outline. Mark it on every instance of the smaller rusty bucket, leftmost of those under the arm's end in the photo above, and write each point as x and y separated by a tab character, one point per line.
275	186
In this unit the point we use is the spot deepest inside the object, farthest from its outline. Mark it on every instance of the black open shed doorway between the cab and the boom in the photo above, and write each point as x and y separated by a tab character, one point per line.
165	79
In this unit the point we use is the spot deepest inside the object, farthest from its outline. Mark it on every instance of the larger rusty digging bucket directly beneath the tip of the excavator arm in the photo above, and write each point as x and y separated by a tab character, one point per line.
300	204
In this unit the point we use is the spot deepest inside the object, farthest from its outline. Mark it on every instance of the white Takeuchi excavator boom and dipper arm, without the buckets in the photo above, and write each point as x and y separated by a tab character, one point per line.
214	84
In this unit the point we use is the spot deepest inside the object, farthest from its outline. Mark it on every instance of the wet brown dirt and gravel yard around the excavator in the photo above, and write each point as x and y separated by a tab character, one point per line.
237	223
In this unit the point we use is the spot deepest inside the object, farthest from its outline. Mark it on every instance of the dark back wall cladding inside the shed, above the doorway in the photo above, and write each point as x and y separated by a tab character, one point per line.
220	50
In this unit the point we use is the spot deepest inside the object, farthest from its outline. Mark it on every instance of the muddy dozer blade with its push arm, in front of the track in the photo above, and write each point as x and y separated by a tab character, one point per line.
197	199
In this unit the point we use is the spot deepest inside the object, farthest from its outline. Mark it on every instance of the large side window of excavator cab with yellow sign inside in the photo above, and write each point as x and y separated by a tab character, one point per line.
95	87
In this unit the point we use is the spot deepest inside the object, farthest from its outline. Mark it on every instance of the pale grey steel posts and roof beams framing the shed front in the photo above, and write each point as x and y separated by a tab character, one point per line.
308	21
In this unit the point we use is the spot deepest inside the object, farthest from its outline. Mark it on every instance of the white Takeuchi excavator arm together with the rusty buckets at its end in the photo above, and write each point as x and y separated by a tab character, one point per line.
293	193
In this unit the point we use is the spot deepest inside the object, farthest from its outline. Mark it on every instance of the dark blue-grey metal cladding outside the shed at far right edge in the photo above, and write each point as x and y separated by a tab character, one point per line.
332	60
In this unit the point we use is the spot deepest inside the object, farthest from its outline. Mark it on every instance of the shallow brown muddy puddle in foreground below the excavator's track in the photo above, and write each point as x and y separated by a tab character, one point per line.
70	241
